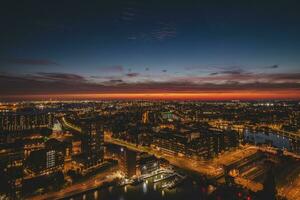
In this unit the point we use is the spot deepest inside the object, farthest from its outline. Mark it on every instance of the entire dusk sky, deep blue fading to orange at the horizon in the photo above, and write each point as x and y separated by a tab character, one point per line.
149	49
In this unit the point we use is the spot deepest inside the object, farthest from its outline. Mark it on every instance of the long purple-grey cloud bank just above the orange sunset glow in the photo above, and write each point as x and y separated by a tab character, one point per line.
65	83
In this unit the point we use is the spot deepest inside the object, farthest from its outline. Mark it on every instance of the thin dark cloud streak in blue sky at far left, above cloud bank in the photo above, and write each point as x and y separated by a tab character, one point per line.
29	61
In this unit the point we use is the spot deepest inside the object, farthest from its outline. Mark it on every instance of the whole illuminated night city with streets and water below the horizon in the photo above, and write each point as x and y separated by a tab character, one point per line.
150	150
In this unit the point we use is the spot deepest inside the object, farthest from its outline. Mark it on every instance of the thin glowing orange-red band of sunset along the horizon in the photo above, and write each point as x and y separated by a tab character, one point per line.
238	95
